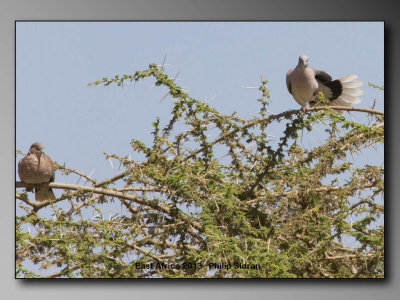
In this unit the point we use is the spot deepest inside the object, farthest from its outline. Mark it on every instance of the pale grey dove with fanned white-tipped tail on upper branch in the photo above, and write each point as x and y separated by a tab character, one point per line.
305	83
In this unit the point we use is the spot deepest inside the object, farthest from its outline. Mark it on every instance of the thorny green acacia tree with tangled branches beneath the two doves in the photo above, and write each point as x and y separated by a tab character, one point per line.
237	204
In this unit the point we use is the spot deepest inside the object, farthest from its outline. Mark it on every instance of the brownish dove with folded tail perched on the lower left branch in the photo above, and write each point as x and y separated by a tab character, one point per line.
36	168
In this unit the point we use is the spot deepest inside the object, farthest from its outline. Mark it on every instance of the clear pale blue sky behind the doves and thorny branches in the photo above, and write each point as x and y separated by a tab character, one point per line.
55	61
